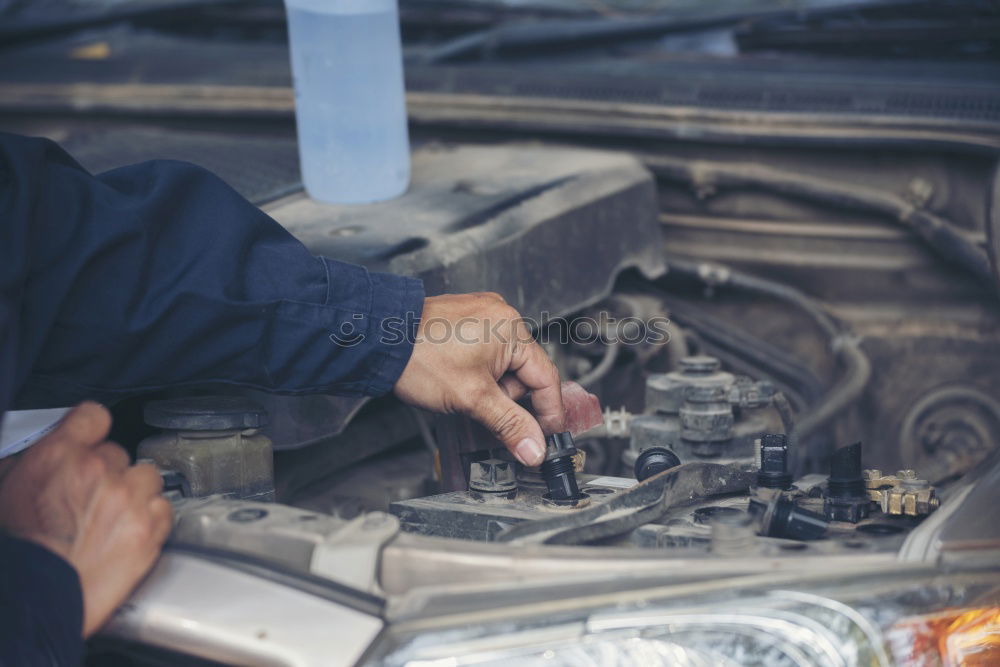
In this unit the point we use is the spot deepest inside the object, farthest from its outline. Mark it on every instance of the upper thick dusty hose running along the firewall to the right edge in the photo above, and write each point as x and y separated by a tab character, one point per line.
949	241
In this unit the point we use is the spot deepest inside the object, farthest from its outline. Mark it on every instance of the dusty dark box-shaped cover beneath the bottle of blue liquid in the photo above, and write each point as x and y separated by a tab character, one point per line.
547	228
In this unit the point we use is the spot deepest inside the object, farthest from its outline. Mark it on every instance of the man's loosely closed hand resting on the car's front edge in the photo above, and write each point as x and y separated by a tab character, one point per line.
75	494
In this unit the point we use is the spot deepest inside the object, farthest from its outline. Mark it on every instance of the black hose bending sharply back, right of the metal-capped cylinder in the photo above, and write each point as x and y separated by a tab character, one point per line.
856	367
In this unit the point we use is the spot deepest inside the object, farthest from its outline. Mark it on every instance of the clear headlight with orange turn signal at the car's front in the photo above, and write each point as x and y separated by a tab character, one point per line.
929	619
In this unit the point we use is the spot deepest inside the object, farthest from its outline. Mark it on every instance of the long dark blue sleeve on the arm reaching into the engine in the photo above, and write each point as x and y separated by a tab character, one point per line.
160	274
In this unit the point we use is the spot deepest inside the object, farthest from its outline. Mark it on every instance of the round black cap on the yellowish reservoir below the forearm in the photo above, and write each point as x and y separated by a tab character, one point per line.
205	413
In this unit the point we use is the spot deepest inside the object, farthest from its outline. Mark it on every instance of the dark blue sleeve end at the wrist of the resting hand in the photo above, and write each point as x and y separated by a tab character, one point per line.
41	607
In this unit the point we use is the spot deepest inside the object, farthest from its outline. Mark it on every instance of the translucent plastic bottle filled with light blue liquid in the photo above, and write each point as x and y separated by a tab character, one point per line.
350	105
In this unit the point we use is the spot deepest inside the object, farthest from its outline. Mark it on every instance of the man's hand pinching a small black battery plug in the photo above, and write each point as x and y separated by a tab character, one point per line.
475	356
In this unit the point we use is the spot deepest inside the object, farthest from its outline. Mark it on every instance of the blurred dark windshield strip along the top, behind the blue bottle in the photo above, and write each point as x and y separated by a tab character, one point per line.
576	31
